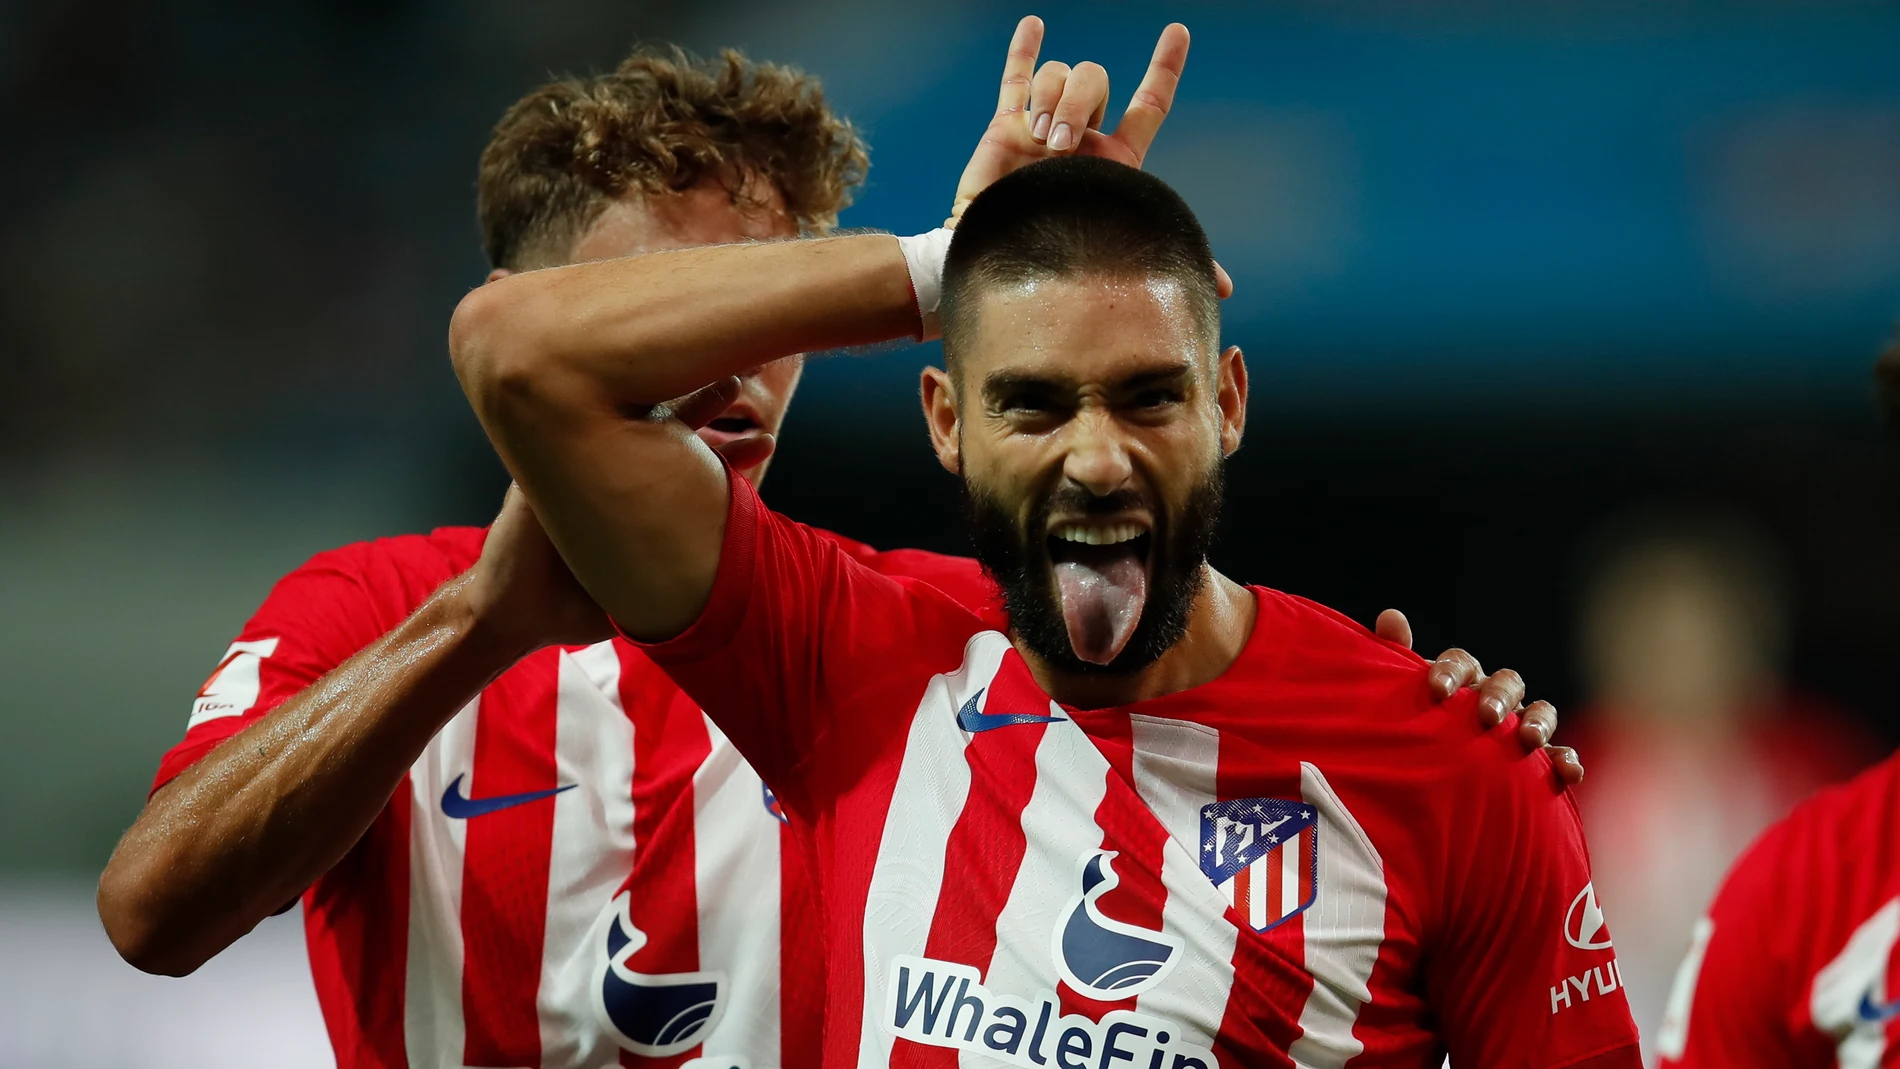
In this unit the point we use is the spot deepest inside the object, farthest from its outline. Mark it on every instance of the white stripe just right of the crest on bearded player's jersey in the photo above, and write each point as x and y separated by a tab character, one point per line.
1344	929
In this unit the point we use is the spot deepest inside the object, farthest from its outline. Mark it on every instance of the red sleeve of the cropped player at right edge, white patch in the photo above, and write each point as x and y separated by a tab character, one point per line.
1736	1002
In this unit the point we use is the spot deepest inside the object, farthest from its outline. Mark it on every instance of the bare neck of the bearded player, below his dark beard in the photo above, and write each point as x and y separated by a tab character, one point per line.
1219	626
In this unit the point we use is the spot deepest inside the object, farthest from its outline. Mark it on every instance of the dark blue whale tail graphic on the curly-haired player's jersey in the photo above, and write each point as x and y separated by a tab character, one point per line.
653	1013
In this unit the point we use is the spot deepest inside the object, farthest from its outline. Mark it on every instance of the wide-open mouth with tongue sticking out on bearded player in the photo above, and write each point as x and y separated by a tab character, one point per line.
1101	574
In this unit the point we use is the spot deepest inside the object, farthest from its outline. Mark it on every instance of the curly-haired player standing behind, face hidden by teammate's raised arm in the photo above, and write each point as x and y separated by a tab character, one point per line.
522	844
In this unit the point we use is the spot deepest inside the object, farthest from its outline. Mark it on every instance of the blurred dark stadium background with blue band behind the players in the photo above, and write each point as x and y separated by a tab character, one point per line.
1559	316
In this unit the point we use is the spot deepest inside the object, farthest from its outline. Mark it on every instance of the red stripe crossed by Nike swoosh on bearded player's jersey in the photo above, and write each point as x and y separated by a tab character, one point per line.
987	842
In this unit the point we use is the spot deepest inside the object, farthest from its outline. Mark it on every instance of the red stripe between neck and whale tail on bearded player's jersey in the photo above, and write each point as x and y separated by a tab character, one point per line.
1139	840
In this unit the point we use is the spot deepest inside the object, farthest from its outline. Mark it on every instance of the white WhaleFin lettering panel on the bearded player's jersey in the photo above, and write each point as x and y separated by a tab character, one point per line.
943	1003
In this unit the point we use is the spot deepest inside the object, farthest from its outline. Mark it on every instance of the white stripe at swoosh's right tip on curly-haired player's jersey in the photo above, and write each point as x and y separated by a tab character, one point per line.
590	855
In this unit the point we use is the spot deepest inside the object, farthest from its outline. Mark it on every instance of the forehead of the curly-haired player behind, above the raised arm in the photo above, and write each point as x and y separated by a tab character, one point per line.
702	216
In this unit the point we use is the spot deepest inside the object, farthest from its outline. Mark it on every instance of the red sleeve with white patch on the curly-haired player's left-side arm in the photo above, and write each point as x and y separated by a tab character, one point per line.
313	622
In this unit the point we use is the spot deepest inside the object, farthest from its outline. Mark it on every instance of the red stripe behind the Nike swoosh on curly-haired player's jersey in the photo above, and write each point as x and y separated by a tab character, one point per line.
504	872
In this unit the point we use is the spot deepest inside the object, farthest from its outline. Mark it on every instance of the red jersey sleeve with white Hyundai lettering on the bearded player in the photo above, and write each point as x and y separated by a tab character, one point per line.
1523	973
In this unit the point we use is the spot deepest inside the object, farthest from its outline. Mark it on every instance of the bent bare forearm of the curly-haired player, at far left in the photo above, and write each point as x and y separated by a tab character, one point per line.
261	817
